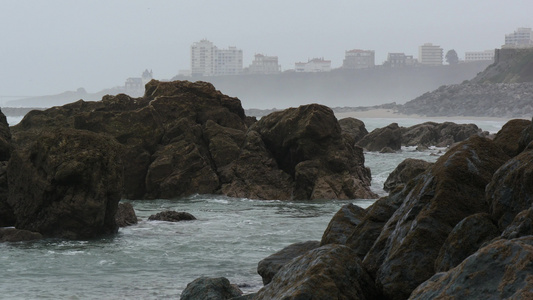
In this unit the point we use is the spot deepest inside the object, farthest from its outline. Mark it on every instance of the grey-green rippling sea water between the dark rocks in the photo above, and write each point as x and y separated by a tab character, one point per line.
156	260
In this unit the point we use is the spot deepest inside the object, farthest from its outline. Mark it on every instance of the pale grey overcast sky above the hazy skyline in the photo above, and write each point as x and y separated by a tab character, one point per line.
47	47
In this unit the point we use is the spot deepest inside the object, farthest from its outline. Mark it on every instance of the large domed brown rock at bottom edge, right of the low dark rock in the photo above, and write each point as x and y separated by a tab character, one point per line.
331	271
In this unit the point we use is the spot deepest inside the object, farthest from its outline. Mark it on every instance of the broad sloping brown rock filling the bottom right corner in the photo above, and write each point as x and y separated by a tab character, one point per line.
501	270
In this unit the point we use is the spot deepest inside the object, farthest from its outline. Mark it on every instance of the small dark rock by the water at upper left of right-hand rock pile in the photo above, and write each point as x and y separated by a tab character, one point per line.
405	171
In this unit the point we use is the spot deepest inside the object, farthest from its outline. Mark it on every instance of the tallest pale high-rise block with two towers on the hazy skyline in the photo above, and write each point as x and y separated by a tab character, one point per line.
208	60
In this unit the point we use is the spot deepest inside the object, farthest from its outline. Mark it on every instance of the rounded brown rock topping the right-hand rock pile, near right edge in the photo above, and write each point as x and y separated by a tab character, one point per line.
509	136
